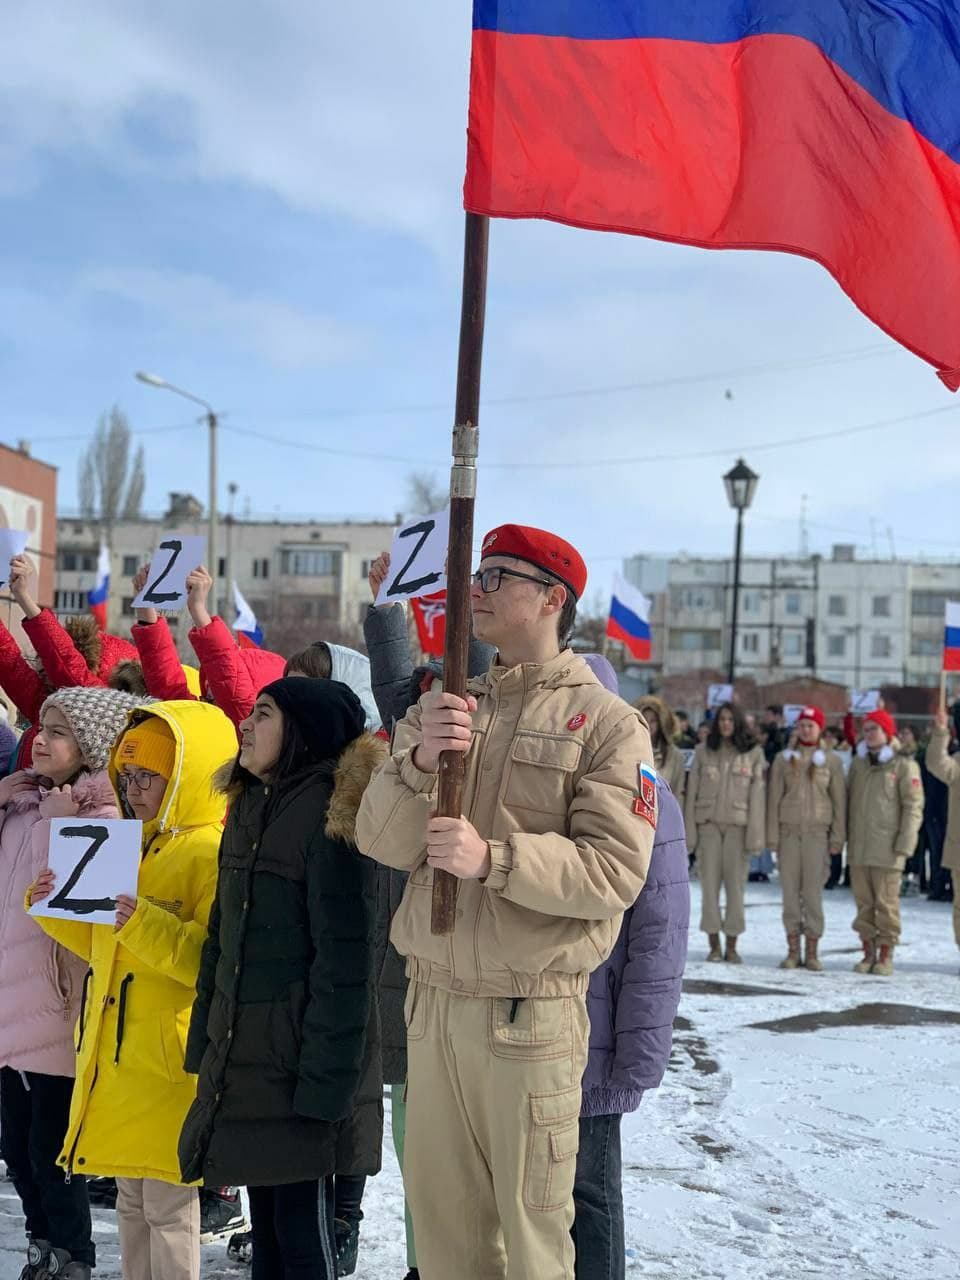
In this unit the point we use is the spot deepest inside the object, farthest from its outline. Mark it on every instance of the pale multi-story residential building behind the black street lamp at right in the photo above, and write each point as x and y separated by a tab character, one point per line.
862	624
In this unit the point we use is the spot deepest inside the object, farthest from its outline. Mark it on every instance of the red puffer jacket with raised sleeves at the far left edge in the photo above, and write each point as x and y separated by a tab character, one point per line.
65	668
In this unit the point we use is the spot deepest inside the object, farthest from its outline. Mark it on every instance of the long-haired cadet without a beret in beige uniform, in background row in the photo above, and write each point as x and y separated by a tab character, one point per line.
725	824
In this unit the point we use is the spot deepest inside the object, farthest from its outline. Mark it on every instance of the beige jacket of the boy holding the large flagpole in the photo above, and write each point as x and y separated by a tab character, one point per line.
552	781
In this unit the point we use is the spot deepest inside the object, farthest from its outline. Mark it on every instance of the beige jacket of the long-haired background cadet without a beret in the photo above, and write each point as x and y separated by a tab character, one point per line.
728	789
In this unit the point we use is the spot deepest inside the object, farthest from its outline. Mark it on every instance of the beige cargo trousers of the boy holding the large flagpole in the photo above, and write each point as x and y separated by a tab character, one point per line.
493	1130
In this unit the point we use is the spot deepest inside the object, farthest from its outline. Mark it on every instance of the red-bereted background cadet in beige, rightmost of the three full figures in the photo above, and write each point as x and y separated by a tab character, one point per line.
885	813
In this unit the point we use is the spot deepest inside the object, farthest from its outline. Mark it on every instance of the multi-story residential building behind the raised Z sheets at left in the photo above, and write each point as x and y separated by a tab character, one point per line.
303	580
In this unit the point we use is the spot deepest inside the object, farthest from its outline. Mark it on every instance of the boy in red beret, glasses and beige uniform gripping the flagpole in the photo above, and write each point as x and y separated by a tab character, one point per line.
555	847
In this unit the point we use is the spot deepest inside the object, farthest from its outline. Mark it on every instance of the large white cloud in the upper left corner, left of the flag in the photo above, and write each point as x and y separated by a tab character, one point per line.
354	111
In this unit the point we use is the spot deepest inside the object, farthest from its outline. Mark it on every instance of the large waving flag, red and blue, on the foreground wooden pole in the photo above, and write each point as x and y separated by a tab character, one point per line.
829	129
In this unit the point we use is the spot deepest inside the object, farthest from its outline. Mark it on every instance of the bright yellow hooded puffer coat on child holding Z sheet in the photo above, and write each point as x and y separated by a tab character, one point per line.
132	1094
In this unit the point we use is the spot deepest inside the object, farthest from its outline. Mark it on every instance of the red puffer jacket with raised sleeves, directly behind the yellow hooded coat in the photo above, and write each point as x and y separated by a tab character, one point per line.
231	675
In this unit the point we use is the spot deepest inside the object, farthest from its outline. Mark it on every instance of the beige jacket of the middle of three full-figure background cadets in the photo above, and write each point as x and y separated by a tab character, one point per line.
807	789
